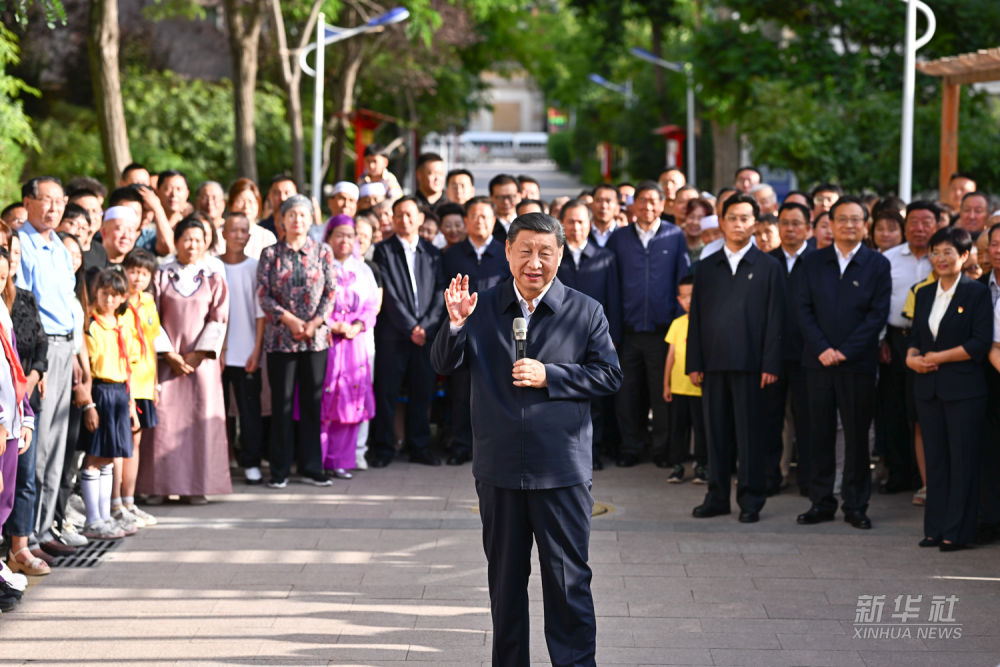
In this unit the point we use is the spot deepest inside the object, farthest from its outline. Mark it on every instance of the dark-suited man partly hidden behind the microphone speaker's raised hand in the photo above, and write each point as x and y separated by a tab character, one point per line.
482	259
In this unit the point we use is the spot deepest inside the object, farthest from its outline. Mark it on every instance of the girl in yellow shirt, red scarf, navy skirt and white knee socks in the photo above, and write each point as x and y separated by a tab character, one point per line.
111	345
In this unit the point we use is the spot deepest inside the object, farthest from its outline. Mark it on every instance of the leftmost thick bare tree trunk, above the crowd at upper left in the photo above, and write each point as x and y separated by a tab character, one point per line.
102	46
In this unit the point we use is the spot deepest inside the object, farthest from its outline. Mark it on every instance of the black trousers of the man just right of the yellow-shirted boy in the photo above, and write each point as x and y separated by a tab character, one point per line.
733	404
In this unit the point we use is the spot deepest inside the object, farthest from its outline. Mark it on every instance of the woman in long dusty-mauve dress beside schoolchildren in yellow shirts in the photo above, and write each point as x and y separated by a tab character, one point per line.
187	454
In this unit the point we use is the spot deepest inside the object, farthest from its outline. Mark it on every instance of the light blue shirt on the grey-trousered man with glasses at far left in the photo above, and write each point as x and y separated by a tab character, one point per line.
47	271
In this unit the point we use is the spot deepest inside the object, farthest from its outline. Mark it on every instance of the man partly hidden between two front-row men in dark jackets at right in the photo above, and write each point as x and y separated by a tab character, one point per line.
794	230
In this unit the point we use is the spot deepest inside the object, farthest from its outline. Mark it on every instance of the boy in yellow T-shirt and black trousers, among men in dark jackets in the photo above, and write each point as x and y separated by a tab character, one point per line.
685	414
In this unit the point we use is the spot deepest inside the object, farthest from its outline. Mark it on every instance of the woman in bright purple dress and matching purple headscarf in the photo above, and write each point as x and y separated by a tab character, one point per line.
348	399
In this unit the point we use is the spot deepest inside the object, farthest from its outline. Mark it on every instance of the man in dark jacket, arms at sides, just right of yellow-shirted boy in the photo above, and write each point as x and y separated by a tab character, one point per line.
734	353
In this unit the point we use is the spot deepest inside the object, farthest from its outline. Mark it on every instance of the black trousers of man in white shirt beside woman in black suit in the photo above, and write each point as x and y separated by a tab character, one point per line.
895	414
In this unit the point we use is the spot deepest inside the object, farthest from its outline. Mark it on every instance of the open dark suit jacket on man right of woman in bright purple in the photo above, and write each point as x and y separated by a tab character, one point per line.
398	315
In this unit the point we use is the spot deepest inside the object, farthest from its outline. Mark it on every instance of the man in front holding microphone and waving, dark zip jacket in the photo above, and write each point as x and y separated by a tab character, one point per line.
532	436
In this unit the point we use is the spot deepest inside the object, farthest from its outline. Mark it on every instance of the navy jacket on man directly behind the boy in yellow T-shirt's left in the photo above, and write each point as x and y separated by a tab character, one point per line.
648	276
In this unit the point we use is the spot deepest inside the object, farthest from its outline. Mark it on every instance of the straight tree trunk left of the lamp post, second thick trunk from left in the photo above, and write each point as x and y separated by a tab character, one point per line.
243	20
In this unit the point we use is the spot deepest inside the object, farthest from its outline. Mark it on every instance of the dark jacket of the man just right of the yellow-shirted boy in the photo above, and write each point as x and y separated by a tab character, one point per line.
735	321
